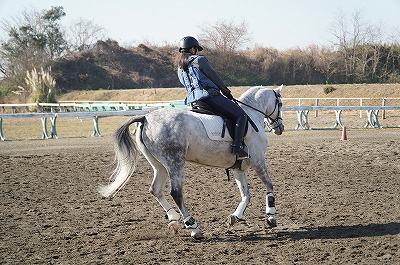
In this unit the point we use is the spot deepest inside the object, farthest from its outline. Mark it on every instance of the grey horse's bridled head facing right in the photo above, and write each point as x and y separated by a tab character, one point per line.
273	112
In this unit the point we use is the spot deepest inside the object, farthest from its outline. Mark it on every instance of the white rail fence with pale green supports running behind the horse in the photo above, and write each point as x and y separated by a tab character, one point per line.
102	109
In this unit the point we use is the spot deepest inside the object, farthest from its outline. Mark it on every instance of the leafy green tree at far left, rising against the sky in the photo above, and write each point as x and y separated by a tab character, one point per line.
35	38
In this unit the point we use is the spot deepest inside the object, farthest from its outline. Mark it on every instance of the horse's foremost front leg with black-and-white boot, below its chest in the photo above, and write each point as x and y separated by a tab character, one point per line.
270	209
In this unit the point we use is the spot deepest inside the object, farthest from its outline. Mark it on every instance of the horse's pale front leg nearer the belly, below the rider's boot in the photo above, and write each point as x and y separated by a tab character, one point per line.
241	181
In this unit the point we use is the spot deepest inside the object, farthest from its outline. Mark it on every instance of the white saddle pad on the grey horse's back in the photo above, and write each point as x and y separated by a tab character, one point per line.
213	125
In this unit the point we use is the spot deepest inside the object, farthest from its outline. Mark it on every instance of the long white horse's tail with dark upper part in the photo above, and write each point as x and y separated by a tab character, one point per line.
125	160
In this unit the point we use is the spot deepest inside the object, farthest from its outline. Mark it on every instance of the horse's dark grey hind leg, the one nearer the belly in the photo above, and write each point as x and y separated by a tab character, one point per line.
177	195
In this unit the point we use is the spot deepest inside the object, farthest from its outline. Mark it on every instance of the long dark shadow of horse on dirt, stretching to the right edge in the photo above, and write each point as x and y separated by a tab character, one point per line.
321	232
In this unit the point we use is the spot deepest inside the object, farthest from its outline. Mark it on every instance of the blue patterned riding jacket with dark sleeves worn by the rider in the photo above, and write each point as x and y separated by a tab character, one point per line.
200	81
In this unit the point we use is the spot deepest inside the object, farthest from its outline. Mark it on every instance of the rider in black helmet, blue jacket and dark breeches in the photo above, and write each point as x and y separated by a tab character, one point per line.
205	85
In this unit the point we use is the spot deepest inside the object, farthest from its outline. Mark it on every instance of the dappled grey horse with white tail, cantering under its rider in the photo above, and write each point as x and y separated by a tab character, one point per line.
169	137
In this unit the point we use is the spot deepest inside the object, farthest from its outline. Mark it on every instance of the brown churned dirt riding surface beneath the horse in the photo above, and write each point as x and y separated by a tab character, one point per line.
337	202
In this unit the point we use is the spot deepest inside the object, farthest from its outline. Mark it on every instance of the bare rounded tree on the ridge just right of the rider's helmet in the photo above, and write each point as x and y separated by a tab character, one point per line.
225	36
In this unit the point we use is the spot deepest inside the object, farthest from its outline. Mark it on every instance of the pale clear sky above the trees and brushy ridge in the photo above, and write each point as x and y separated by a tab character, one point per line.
280	24
